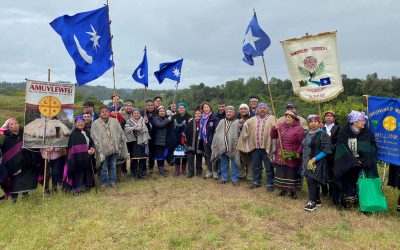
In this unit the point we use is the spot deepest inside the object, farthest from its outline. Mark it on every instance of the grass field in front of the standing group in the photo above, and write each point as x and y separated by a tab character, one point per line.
181	213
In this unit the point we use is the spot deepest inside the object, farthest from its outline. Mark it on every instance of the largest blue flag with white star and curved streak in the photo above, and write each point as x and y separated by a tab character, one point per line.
86	36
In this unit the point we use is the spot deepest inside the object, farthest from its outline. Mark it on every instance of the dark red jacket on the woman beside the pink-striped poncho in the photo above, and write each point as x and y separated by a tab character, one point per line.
291	137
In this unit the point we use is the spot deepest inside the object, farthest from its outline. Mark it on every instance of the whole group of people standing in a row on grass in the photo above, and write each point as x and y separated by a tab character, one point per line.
236	146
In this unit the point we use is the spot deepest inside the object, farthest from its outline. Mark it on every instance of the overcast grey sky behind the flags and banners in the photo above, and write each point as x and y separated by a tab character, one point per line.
208	34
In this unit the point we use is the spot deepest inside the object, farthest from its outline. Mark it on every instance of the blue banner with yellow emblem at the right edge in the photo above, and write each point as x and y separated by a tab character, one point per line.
384	122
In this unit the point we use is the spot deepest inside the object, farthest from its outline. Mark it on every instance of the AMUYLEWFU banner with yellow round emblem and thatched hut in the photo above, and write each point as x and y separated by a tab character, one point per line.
48	114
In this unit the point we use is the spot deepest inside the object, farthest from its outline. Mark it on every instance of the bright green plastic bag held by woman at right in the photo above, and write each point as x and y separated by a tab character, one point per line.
371	197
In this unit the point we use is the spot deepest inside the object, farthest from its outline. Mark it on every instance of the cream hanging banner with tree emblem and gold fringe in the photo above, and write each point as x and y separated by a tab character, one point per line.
313	66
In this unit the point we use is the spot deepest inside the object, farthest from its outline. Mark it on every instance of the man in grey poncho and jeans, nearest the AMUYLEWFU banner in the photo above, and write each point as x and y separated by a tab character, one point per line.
110	143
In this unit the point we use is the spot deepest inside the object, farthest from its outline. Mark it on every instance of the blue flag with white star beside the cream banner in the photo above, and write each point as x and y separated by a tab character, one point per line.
256	41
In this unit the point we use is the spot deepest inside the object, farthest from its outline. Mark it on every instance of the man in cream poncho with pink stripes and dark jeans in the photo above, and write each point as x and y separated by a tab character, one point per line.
256	140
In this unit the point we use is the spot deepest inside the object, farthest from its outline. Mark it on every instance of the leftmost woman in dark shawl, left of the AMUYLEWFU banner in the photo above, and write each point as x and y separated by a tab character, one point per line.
19	162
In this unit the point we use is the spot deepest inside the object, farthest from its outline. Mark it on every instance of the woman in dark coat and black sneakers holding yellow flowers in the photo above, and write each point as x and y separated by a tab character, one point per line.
316	146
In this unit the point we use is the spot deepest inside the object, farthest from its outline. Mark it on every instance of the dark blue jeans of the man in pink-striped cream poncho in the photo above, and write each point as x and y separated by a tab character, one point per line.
259	156
